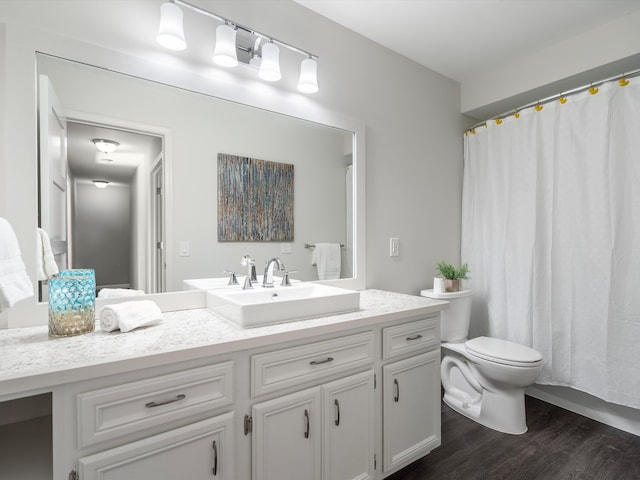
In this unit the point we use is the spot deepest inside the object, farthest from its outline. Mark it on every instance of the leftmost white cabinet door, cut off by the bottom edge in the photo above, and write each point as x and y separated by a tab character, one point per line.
201	451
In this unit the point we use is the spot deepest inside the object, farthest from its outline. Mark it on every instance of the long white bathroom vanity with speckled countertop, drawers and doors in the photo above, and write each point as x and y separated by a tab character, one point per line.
347	396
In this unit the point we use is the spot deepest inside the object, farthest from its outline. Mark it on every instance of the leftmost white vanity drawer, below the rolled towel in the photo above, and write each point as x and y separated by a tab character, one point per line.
120	410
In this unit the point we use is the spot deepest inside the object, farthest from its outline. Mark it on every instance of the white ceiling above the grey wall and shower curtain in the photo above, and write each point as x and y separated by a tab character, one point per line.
462	38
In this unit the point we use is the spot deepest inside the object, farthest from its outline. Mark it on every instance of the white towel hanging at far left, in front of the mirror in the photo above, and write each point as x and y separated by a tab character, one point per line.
15	284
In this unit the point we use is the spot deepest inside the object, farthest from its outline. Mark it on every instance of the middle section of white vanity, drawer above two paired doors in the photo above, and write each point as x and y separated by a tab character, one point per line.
322	432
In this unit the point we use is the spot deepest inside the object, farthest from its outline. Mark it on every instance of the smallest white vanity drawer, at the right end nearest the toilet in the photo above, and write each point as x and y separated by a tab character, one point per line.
410	337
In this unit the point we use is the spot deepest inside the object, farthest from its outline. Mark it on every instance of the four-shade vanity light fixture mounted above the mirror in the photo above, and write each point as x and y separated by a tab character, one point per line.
235	44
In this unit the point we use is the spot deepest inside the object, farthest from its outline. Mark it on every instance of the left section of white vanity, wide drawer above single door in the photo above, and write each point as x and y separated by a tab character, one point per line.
153	427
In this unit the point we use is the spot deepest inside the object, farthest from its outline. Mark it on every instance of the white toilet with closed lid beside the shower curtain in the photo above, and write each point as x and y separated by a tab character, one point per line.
483	378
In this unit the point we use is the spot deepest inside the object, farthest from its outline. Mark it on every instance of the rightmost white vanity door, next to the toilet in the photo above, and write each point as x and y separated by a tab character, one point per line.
411	409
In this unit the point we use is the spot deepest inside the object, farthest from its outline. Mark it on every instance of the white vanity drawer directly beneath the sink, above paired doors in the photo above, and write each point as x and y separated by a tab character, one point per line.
293	366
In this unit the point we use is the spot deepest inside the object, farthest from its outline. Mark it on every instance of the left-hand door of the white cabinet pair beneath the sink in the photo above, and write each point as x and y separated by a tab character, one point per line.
286	437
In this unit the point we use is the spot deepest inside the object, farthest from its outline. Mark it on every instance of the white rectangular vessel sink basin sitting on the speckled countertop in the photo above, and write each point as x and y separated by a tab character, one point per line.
263	306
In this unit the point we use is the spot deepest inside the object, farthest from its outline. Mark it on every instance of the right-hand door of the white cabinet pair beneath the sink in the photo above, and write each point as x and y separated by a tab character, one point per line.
348	412
